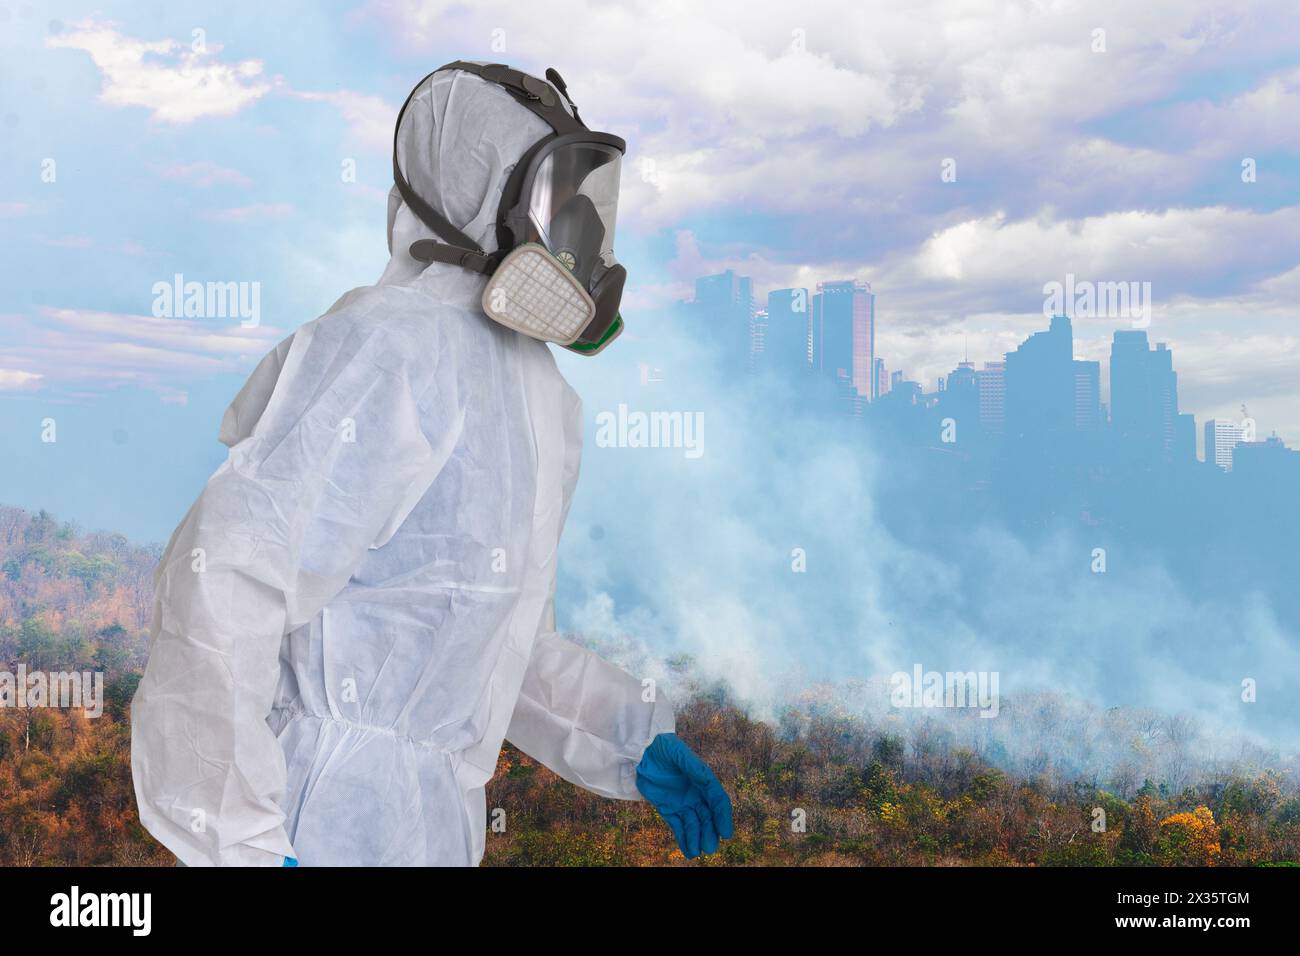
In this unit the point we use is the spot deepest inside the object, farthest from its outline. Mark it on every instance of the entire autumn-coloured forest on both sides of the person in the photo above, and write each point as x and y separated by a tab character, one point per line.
820	785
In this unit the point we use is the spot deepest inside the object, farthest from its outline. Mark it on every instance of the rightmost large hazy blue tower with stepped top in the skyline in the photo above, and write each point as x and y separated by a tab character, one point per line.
1143	396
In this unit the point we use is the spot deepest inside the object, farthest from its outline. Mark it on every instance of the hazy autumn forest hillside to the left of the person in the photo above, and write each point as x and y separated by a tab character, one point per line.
72	602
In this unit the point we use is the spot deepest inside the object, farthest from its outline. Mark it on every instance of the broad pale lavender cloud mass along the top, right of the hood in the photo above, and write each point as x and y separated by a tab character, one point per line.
834	111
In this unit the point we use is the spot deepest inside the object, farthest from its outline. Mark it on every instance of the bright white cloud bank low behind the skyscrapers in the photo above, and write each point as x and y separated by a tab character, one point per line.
1224	288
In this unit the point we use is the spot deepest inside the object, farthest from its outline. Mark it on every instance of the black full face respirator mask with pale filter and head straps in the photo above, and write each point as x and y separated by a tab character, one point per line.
554	276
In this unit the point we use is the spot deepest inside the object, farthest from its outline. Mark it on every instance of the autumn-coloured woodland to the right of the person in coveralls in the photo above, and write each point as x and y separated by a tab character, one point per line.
835	795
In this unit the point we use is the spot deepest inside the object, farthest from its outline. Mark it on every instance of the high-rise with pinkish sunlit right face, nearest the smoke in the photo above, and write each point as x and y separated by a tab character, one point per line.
843	334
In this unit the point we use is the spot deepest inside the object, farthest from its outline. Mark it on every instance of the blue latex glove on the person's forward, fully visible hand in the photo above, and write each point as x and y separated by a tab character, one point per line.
687	794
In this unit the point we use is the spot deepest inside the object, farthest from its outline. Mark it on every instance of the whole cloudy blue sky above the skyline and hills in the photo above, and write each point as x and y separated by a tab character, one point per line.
794	144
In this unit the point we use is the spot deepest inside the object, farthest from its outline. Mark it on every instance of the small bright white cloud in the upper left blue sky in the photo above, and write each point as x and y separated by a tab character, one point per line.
175	83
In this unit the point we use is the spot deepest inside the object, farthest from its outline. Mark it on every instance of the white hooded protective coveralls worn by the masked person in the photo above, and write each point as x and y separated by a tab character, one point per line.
358	608
